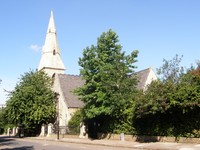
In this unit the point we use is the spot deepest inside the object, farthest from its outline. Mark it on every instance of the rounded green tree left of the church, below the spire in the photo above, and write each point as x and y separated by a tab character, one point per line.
32	101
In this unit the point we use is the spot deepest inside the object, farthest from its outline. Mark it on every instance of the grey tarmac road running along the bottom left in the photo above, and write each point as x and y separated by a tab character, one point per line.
7	143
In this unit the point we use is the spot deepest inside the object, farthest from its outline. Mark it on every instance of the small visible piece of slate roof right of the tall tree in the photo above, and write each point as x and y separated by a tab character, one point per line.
142	77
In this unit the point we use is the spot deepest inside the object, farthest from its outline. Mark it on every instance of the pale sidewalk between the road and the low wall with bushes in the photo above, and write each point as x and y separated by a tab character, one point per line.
129	144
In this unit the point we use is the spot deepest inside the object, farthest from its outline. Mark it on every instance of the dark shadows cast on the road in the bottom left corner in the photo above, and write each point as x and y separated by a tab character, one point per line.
6	141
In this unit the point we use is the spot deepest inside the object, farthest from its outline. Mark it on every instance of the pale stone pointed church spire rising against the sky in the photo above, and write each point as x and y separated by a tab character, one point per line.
51	61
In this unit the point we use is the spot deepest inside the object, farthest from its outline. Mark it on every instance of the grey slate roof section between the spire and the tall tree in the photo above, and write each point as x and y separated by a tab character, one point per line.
68	83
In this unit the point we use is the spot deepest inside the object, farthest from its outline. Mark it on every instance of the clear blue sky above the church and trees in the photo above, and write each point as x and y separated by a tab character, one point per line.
157	28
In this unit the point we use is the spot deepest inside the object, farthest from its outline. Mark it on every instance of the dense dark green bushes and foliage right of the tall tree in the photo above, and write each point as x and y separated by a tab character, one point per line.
170	108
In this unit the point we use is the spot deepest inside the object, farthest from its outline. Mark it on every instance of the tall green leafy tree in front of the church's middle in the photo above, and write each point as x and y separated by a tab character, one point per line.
108	91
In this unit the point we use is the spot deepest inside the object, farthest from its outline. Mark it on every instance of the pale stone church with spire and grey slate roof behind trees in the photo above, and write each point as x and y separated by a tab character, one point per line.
64	84
